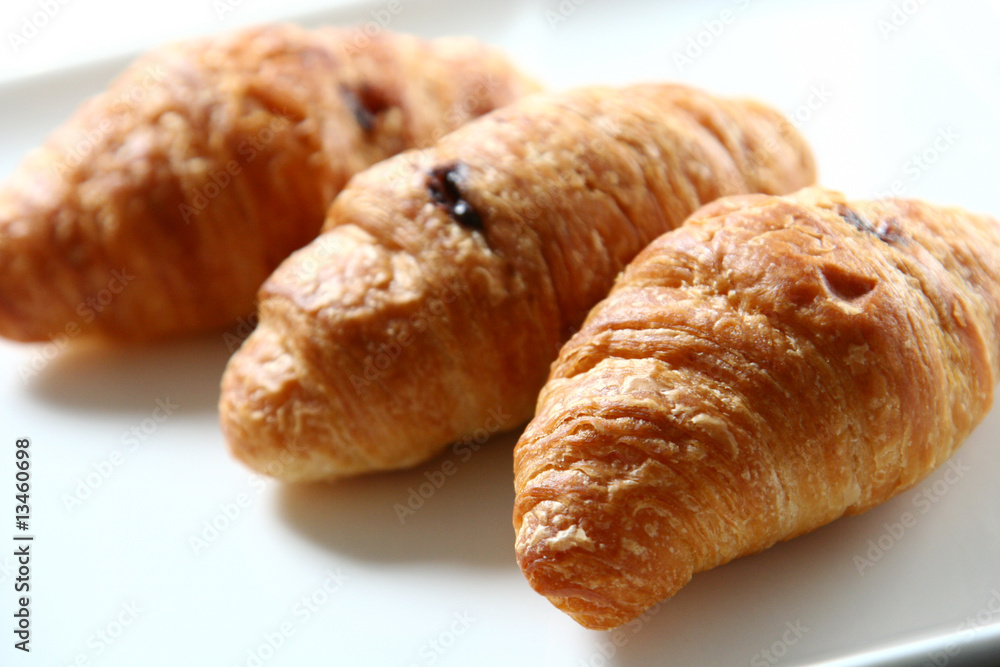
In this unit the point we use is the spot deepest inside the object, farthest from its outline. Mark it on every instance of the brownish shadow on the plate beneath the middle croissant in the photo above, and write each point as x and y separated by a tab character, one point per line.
421	514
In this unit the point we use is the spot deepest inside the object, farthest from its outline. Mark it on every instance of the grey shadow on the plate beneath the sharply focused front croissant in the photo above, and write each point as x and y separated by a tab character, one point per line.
814	595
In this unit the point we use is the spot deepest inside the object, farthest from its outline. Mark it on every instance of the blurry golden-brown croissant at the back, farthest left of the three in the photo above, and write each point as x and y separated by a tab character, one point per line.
162	204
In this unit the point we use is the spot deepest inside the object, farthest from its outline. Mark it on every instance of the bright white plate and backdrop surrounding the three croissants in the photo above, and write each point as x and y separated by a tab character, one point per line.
880	98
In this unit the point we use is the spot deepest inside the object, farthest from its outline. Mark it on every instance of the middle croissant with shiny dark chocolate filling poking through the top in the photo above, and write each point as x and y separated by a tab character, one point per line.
446	280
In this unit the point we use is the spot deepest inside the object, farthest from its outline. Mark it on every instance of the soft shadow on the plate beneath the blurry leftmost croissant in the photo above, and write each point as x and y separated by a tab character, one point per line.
97	376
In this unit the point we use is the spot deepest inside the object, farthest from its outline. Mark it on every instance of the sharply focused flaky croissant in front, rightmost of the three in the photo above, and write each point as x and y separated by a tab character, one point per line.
775	363
